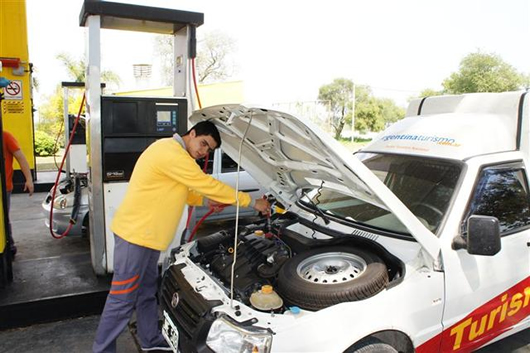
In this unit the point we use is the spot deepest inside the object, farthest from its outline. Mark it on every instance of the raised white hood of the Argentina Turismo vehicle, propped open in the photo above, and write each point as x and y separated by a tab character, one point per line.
285	155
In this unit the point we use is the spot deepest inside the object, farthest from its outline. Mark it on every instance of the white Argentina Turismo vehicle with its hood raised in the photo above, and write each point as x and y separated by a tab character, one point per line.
418	243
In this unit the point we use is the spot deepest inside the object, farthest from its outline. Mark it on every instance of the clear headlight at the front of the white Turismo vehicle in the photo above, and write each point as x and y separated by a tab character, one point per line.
227	337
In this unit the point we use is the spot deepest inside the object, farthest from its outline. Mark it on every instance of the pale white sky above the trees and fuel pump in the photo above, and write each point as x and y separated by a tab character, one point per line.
287	49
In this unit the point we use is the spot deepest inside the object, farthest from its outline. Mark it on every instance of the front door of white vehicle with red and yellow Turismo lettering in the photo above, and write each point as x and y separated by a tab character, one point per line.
488	296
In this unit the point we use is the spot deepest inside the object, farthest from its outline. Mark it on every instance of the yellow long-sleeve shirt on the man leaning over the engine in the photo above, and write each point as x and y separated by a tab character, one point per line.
164	180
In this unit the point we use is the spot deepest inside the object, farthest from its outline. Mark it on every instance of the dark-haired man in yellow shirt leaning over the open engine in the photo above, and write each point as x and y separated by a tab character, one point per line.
166	177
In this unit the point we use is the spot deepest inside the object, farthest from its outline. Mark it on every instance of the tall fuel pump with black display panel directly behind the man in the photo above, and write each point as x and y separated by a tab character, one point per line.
119	128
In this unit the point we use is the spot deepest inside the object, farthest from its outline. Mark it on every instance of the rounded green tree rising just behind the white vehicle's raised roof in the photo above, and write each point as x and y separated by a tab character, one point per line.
481	72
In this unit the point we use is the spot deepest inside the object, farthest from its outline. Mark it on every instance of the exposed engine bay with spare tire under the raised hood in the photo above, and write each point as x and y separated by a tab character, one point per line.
277	267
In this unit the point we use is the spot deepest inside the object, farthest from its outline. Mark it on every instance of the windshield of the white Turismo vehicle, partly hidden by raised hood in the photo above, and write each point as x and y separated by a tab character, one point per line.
424	185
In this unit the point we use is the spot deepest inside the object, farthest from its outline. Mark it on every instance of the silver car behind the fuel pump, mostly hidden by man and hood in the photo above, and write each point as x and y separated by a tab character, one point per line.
220	166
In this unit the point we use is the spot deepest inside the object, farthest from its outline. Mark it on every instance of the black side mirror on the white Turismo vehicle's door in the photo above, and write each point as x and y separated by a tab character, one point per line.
483	235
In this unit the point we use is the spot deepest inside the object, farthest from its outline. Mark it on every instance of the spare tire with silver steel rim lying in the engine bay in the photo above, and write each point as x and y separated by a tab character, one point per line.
319	278
